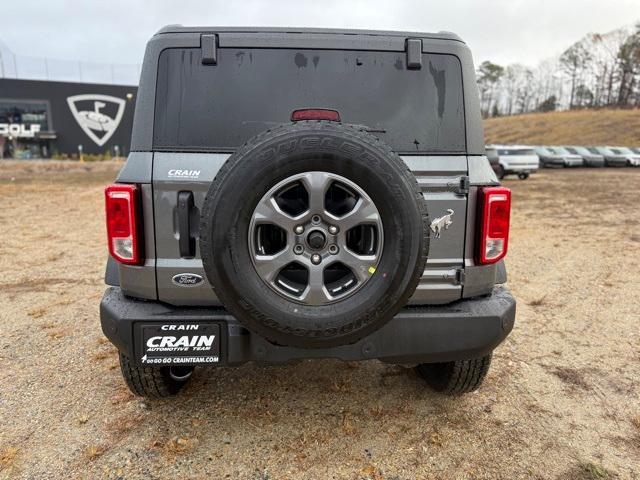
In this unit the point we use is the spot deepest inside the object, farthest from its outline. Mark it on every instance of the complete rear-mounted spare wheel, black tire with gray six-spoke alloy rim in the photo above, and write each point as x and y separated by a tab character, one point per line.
314	234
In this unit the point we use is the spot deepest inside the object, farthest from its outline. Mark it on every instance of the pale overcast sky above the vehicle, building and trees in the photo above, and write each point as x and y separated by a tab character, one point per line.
115	31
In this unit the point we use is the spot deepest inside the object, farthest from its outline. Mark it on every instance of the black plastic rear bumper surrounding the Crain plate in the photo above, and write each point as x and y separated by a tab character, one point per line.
464	329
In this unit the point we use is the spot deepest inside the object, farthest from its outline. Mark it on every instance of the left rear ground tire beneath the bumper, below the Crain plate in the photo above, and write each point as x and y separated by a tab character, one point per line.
154	382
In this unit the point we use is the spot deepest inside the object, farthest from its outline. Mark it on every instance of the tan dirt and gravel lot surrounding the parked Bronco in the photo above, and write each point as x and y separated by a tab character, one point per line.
561	400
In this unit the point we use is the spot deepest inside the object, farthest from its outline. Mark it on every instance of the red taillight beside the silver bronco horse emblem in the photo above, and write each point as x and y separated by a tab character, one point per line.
494	213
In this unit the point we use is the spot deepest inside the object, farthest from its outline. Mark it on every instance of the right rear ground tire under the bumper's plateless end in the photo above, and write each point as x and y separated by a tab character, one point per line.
457	377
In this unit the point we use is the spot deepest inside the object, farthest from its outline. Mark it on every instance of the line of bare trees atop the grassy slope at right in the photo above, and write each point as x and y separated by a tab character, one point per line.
600	70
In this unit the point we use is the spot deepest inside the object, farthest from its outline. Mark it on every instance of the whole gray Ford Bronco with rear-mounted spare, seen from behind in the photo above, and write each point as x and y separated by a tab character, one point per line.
305	193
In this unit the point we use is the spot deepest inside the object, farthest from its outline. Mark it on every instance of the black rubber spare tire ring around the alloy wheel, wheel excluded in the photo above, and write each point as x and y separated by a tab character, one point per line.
275	155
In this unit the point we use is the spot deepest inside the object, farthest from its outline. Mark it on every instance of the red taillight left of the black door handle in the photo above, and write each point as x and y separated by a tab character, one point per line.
122	223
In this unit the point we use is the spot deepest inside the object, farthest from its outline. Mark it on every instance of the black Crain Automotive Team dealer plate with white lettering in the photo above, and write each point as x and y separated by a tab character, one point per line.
180	343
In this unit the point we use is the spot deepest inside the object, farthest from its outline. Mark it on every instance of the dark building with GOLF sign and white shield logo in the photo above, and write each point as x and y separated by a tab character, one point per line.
43	119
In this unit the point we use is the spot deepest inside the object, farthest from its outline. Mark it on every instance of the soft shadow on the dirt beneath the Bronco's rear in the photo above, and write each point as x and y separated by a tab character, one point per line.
354	399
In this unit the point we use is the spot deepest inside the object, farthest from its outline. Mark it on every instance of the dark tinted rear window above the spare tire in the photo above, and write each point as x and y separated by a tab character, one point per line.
218	108
